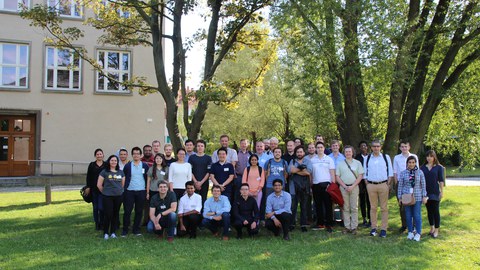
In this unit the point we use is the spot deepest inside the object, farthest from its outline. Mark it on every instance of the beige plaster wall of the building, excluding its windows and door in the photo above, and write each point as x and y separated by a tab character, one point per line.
74	124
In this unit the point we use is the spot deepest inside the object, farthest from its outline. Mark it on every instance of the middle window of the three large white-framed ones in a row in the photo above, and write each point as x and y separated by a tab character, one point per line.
62	70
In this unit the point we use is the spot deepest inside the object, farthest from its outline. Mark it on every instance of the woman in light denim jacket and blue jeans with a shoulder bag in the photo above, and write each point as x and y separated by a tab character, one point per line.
412	181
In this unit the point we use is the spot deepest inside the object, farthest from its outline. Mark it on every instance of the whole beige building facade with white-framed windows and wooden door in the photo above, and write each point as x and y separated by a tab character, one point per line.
55	107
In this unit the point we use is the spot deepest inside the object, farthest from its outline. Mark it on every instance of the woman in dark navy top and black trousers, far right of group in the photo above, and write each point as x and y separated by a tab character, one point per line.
434	179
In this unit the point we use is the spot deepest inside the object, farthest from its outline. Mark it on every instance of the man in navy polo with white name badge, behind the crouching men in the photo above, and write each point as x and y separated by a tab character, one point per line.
222	173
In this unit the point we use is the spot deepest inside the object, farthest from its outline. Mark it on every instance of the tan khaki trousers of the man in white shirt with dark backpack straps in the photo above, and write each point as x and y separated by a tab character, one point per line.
378	193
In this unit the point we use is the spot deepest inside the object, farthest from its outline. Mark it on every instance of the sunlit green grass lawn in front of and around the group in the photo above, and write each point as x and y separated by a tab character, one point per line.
61	235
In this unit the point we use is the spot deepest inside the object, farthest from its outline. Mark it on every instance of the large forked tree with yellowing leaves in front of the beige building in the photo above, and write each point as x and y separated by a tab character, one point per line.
133	23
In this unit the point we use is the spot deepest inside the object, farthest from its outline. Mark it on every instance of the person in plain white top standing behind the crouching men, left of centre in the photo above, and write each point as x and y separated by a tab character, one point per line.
179	173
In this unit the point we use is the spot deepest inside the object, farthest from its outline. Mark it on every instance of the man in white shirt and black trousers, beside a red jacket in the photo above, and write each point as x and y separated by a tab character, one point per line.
323	173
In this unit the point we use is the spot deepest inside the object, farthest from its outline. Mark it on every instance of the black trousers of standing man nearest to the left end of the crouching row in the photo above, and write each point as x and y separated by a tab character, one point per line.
131	200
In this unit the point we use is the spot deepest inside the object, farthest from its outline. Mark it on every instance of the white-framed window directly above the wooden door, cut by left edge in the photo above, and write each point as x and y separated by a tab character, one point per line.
14	65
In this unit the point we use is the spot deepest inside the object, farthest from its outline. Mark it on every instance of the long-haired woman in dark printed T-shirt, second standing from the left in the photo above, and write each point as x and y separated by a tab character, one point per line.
110	183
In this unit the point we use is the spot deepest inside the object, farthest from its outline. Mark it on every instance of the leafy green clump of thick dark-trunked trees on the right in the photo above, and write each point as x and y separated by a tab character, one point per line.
415	50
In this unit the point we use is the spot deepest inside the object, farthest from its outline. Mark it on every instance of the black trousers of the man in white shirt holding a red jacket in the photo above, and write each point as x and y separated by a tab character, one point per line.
323	204
